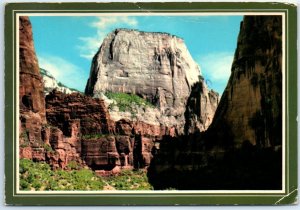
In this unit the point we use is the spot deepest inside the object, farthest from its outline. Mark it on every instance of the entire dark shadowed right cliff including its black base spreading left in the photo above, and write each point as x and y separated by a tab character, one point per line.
242	147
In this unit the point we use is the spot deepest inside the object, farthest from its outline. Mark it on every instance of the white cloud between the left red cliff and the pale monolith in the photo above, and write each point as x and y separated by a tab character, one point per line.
64	71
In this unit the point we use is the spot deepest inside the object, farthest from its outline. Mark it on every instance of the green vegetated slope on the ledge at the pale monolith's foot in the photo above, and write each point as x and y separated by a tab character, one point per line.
125	101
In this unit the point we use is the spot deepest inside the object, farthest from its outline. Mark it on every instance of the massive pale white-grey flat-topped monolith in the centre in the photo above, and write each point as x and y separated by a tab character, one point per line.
155	66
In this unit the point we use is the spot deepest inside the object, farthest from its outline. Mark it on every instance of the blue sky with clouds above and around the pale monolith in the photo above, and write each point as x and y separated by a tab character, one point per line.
65	45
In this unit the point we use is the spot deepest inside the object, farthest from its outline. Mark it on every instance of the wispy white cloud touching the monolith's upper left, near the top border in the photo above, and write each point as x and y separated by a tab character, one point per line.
103	26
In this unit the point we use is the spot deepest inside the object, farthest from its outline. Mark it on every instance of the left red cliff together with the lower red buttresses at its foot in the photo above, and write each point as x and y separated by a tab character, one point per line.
38	140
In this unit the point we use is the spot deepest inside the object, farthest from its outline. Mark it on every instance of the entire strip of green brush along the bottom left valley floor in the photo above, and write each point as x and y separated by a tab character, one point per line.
38	176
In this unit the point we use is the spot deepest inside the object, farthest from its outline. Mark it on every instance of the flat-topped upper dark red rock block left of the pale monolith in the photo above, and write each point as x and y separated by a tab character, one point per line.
63	108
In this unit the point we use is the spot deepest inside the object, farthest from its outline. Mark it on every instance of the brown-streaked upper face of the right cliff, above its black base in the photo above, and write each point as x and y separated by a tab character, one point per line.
251	105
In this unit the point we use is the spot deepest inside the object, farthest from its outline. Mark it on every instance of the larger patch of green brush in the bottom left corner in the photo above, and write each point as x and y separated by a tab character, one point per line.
39	176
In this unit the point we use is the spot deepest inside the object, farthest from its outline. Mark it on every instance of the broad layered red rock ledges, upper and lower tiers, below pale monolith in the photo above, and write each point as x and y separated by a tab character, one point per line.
103	144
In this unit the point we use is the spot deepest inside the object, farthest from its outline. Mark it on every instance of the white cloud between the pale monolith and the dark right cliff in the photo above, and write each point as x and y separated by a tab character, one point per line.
217	66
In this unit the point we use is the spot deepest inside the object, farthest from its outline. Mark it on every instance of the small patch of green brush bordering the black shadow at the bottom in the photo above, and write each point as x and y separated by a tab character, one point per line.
130	180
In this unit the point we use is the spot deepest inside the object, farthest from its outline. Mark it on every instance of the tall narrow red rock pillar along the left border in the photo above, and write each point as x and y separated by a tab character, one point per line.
31	96
